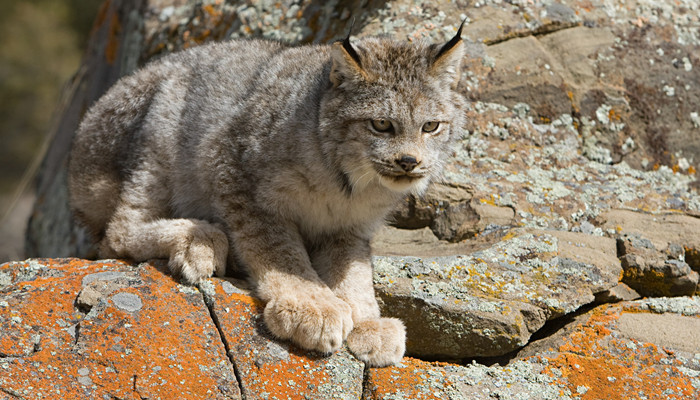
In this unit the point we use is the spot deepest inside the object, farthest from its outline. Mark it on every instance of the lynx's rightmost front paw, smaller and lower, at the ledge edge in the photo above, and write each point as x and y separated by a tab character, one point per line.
378	342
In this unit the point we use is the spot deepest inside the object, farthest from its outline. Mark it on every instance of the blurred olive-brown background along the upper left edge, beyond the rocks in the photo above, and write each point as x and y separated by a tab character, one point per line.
41	48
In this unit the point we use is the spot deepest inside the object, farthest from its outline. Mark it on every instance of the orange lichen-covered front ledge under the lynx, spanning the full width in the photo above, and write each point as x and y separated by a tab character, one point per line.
109	329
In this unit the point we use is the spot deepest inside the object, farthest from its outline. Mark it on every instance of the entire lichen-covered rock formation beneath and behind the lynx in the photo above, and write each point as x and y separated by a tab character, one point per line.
574	184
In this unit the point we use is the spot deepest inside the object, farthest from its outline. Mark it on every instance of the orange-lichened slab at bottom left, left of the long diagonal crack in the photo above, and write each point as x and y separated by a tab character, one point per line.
76	329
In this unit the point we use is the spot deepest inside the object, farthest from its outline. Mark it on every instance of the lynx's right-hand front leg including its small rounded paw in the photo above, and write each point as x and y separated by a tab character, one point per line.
344	264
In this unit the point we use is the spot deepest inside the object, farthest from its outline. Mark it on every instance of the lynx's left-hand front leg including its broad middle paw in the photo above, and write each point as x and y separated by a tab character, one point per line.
300	306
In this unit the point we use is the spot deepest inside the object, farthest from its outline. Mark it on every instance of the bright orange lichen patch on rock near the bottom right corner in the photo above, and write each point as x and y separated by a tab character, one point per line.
596	364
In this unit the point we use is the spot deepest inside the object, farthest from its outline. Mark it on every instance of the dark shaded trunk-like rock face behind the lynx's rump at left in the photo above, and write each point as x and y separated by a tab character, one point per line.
113	51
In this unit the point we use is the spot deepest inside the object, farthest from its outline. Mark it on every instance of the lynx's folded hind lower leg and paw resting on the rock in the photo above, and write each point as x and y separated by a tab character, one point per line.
196	249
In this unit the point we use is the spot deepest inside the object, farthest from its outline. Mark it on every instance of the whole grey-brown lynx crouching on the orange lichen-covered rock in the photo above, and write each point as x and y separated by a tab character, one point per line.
277	160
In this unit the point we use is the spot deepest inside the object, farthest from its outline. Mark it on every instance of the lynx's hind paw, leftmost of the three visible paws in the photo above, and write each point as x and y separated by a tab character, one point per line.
200	253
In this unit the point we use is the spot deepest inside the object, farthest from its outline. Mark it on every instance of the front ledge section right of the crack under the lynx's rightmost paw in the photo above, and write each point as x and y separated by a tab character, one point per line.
603	354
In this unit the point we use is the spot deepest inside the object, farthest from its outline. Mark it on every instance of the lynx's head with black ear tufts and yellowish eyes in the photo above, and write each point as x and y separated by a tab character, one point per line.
392	111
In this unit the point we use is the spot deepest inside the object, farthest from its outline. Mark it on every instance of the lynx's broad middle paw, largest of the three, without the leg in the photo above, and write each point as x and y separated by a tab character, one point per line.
314	320
